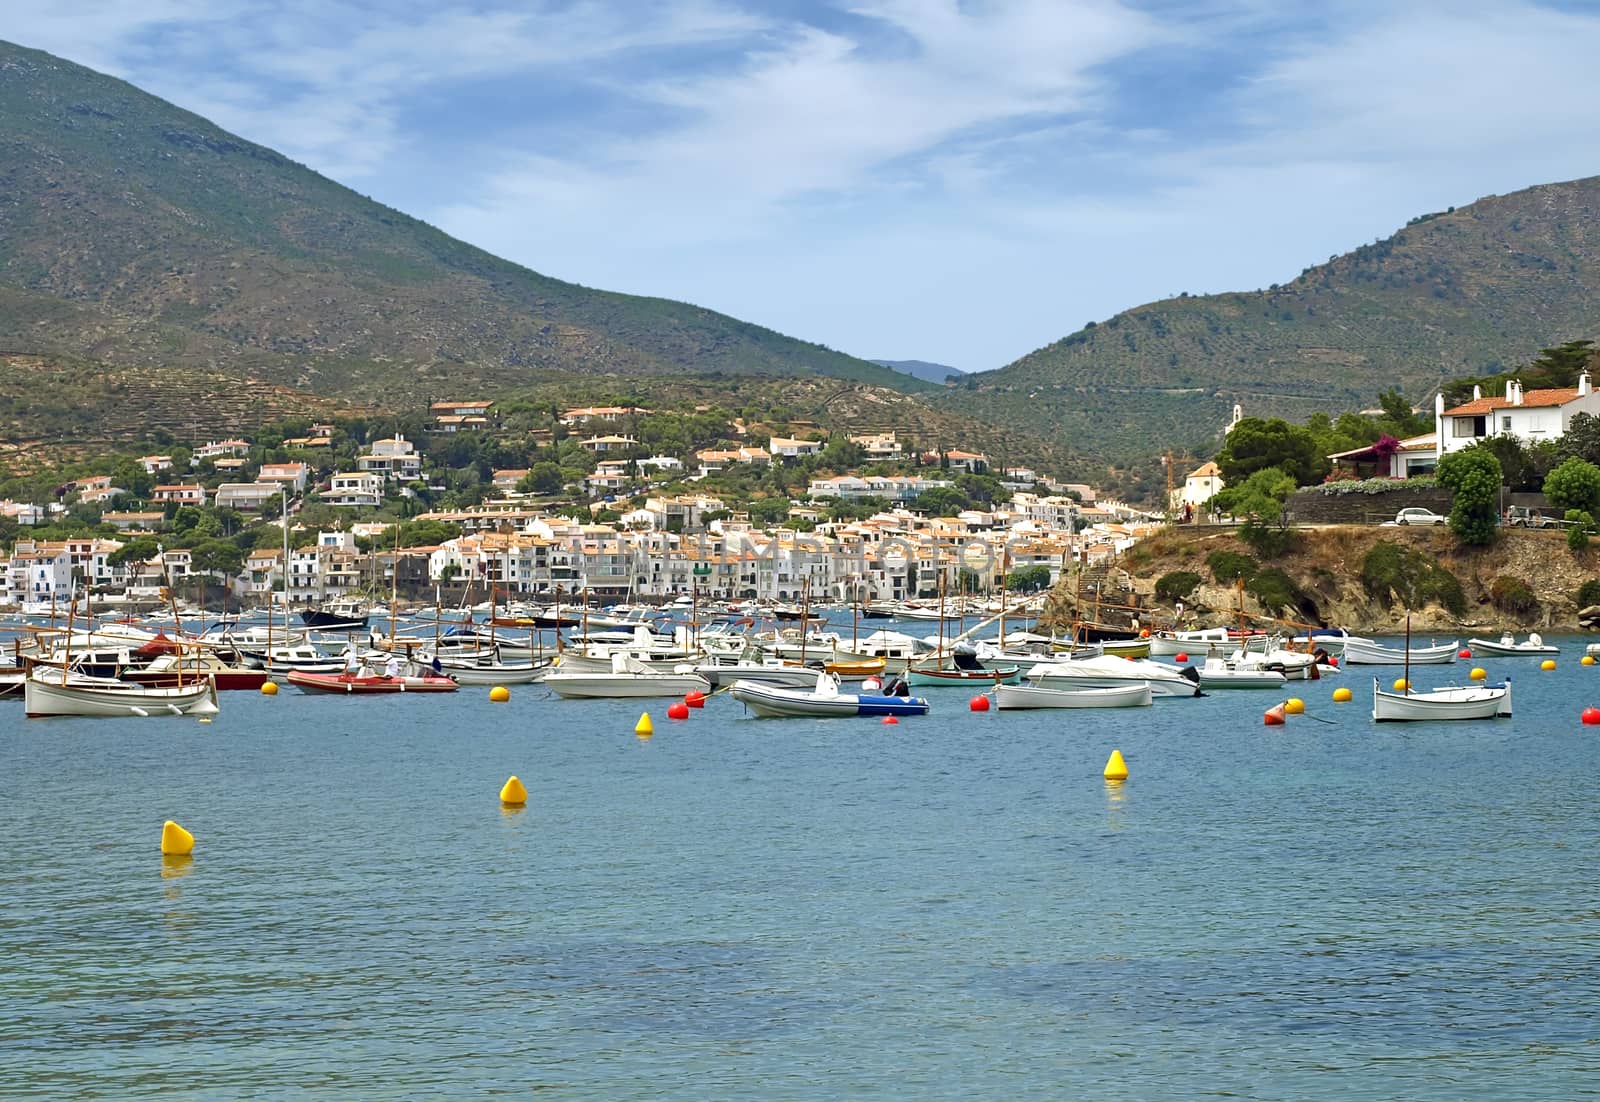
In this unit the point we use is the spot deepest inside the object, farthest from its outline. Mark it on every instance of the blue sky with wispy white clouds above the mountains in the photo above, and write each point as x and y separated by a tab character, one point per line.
958	182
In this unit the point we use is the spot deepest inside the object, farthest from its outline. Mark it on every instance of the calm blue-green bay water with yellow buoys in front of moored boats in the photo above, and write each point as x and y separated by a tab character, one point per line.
954	908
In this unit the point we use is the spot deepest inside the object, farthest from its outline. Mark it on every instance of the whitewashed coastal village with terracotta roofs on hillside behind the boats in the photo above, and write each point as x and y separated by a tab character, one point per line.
887	529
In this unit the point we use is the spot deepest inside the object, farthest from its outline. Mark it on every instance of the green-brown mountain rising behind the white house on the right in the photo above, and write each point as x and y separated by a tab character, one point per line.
1465	292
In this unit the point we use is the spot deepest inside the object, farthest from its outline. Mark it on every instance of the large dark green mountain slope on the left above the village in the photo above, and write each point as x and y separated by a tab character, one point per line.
135	234
